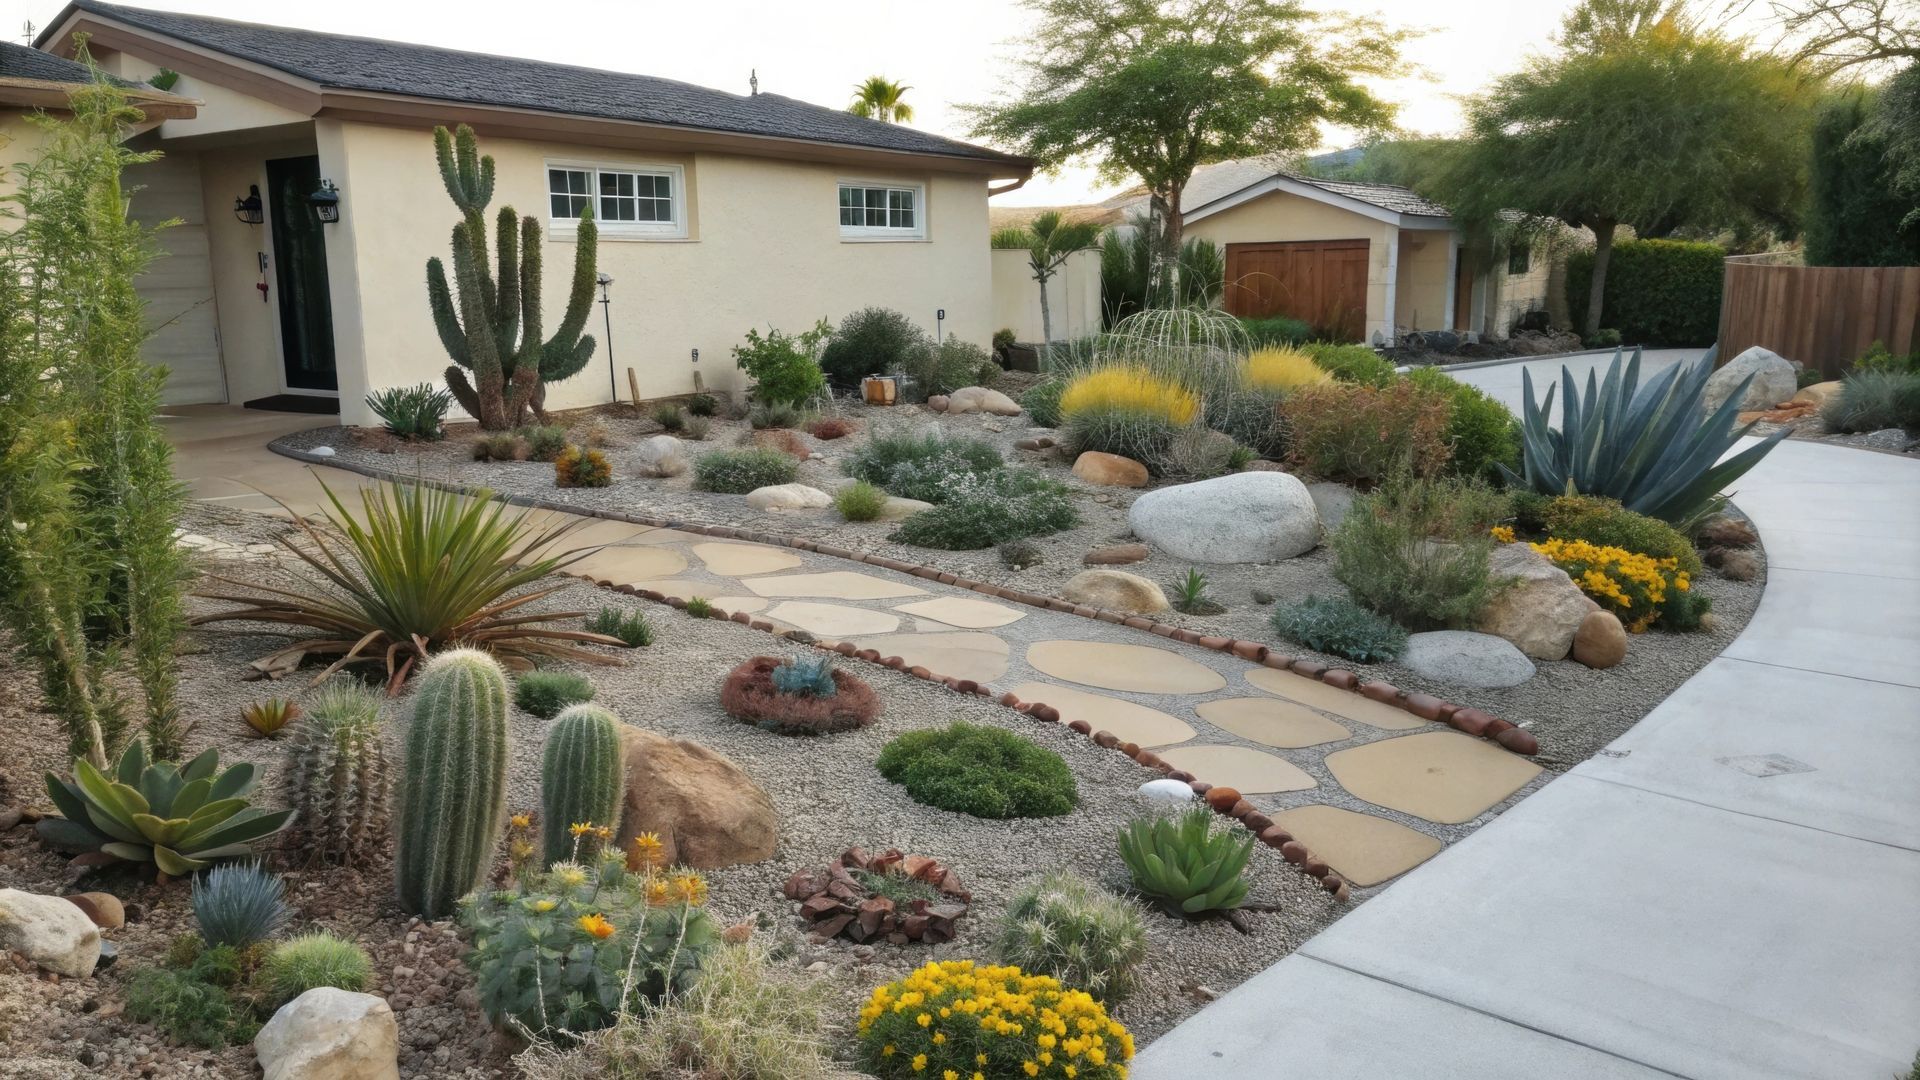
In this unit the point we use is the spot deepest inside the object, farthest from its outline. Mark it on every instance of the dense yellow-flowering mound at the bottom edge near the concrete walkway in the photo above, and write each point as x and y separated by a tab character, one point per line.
965	1021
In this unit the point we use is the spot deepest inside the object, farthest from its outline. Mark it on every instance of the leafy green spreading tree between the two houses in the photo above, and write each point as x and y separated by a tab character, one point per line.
1155	89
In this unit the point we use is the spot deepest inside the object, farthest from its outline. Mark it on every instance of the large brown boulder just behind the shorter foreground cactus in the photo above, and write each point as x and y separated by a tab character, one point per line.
702	806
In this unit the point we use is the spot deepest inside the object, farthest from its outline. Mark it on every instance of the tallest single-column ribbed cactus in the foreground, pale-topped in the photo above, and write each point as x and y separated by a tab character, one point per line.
456	783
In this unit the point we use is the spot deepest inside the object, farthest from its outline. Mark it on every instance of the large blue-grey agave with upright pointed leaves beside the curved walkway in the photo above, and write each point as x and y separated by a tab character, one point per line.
1646	447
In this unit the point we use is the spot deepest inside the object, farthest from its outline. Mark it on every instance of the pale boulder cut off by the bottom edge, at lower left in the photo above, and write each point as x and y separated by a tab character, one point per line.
331	1035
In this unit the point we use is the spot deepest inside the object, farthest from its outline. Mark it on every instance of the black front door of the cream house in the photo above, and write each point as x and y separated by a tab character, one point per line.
300	266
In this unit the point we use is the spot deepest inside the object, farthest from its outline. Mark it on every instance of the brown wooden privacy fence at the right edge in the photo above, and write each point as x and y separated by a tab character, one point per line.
1819	316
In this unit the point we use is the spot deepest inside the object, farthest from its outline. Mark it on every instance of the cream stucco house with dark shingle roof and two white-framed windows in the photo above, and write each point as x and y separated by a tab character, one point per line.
717	212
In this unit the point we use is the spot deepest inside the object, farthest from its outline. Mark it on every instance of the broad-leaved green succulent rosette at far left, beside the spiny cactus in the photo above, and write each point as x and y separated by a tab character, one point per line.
180	818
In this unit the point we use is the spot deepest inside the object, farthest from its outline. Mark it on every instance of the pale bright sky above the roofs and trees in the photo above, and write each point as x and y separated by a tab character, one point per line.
949	53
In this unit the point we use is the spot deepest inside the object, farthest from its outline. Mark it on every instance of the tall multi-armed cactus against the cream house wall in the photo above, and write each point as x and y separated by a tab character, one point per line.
492	330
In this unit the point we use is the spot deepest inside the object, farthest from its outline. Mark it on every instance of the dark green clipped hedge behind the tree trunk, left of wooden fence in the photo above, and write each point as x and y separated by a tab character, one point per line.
1660	293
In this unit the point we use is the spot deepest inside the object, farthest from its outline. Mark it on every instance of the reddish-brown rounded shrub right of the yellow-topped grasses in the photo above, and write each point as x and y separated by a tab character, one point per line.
1360	435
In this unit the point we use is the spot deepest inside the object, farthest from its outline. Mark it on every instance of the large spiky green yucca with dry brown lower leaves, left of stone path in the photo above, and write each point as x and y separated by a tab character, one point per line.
420	570
